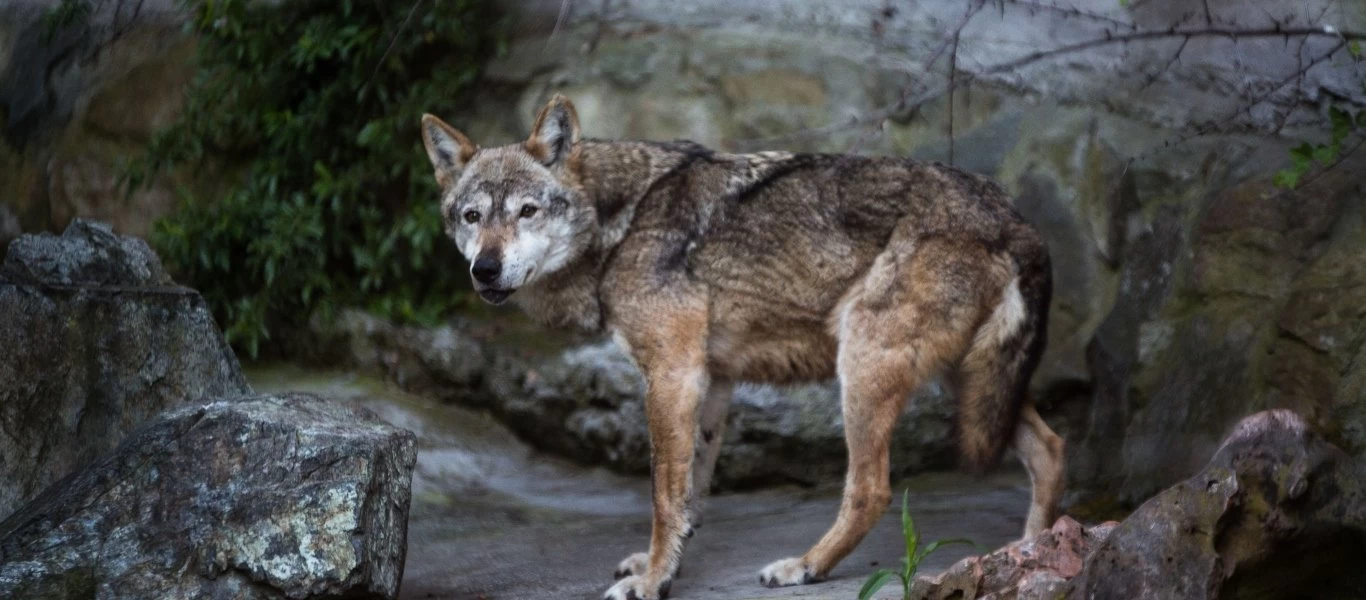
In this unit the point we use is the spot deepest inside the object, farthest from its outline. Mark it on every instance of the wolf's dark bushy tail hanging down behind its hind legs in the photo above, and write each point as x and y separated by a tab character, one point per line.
994	379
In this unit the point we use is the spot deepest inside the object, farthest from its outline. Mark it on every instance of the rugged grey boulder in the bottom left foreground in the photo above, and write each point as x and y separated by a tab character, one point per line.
242	498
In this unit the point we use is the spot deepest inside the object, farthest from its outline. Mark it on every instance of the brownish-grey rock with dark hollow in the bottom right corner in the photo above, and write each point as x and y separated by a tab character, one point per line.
1279	513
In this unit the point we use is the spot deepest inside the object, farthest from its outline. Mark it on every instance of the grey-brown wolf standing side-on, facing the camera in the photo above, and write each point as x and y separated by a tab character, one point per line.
712	269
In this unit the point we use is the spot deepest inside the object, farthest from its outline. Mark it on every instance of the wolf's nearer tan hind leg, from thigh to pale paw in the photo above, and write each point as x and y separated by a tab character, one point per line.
908	321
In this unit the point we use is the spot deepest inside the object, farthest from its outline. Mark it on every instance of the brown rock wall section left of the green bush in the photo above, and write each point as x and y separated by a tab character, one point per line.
79	102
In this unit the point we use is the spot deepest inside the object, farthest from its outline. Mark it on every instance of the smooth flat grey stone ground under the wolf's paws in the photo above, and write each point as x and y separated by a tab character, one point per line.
495	520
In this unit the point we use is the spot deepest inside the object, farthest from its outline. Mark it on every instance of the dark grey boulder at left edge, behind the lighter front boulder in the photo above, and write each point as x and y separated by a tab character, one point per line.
96	340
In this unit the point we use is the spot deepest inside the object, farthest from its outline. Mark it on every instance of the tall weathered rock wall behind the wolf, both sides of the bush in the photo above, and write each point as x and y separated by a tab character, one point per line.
1189	292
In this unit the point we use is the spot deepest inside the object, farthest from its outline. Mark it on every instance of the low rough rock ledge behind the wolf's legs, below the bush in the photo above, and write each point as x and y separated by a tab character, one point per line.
584	400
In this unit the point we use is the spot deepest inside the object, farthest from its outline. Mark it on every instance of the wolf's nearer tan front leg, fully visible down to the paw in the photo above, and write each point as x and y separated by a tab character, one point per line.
671	355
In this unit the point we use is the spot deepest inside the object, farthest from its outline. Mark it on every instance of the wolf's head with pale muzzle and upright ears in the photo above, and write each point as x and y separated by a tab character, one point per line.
517	213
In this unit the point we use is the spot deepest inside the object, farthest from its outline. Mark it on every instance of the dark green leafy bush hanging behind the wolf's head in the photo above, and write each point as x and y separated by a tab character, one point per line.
312	107
